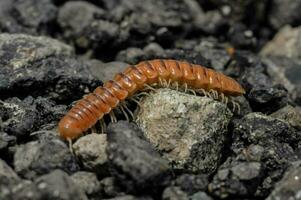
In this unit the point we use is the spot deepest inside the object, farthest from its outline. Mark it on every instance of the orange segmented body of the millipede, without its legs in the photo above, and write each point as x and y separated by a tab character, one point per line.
92	107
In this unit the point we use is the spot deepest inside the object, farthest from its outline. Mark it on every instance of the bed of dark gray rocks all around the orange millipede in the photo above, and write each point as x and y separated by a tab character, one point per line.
180	146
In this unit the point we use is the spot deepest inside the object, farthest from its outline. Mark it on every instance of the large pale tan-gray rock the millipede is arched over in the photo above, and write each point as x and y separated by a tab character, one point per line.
182	129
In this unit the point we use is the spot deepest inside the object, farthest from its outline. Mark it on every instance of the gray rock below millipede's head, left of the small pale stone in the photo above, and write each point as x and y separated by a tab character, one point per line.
40	157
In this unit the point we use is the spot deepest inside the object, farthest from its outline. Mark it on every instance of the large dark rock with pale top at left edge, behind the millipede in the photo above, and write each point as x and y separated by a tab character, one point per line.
42	67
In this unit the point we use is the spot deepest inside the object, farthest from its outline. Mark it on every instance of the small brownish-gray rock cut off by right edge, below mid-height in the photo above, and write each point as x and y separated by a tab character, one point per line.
289	114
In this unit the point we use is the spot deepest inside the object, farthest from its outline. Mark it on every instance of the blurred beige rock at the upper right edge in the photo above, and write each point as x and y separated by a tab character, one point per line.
287	43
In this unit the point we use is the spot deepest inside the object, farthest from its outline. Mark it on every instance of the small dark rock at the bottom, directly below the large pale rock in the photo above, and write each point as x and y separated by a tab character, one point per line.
191	183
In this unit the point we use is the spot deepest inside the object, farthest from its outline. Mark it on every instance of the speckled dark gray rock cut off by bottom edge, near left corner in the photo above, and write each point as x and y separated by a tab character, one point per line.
55	185
